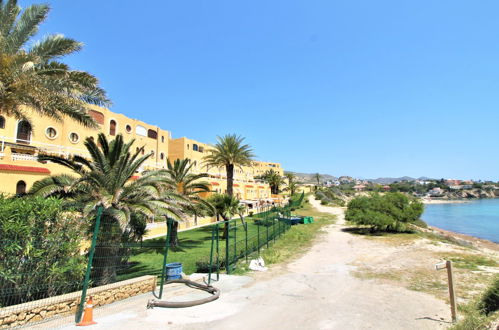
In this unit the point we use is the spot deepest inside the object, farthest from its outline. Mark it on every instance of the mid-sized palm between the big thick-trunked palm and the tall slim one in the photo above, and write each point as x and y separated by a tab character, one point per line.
187	185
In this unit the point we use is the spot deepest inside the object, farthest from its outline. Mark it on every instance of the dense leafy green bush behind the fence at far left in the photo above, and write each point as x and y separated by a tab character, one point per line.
40	250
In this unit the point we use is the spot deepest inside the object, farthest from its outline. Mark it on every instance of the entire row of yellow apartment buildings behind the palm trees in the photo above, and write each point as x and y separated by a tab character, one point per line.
21	142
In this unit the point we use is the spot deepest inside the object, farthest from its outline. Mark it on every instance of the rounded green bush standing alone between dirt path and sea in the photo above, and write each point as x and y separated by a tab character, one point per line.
389	212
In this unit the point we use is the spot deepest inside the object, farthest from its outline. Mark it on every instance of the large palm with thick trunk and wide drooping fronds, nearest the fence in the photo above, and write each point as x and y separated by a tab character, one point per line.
105	181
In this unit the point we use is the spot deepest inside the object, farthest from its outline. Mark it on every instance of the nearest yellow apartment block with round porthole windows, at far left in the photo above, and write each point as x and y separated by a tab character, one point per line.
21	142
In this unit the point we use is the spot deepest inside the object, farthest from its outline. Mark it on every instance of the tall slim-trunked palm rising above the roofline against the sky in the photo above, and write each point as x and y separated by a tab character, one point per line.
229	152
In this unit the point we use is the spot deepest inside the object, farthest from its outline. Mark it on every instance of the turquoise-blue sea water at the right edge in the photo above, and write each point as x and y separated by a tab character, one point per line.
479	218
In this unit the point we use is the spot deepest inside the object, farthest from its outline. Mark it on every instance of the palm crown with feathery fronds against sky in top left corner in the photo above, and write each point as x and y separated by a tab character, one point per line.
33	78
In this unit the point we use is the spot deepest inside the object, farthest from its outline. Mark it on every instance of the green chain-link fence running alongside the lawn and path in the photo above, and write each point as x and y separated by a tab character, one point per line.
115	254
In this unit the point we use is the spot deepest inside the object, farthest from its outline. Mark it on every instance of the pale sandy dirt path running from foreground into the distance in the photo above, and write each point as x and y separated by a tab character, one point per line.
317	291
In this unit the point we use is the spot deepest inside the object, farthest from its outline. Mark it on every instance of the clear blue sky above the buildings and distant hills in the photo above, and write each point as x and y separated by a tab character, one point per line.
361	88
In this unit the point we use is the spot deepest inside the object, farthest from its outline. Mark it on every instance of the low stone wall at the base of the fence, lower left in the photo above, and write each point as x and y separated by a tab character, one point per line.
39	310
